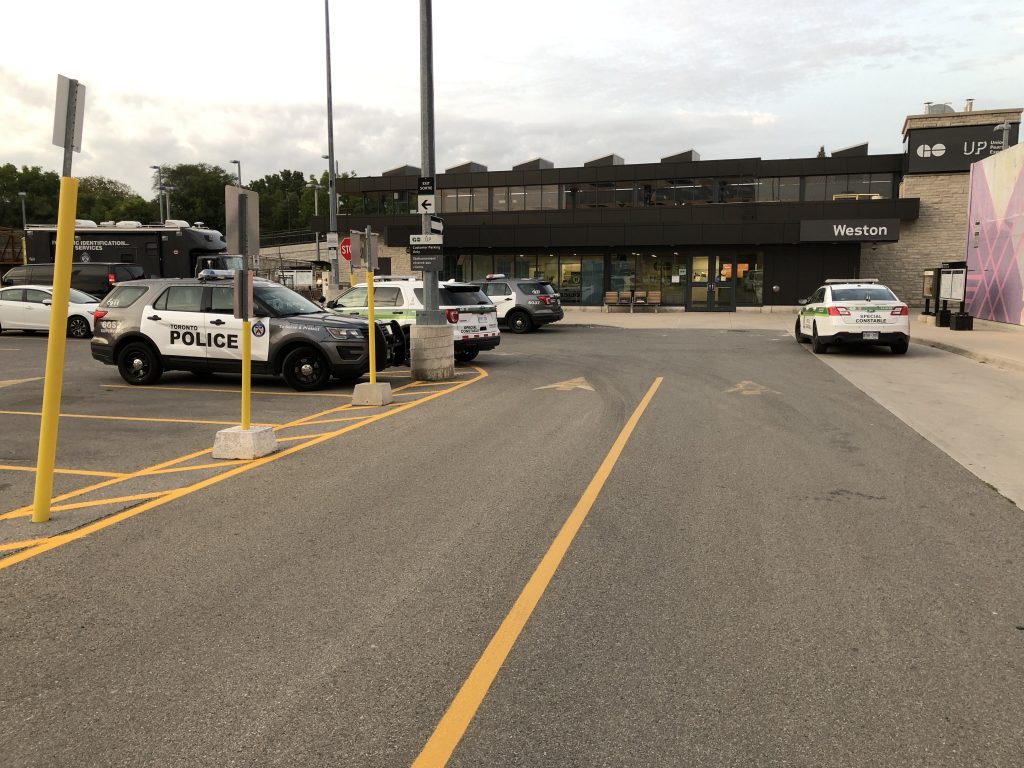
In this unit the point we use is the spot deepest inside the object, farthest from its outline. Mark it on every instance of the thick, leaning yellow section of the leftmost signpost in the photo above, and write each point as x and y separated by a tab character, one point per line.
54	382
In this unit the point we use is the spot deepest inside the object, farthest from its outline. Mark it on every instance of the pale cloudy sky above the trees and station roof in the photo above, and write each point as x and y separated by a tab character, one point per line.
570	81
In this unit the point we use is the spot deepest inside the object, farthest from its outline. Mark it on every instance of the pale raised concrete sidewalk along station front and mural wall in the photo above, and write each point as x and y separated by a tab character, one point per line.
997	345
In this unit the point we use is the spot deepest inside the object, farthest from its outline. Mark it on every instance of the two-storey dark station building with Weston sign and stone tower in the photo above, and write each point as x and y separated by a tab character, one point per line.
706	235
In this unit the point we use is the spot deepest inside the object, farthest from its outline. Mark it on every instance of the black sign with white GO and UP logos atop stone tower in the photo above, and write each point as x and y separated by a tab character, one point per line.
947	150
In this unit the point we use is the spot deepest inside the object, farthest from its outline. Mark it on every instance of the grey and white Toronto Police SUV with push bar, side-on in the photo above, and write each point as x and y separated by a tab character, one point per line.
150	326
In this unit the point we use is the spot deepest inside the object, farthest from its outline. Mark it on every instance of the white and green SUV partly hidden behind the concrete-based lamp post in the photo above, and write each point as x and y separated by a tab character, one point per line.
472	315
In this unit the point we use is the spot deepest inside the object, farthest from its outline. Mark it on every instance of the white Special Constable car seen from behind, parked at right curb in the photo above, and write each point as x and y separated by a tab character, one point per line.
854	312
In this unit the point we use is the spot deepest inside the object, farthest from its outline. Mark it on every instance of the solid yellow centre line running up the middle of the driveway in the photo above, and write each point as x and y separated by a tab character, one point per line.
453	726
